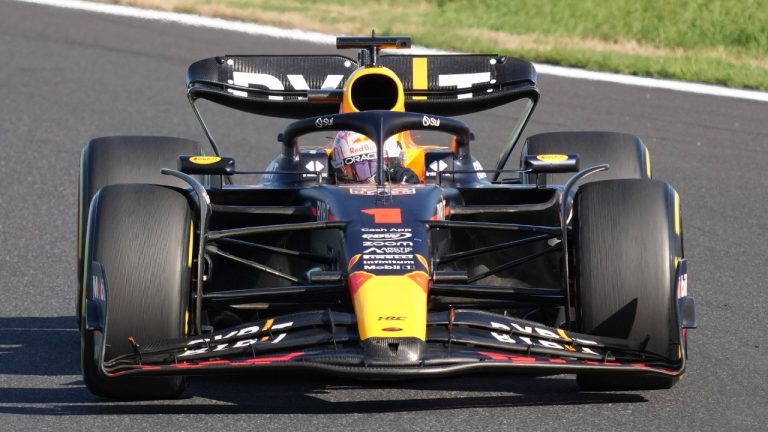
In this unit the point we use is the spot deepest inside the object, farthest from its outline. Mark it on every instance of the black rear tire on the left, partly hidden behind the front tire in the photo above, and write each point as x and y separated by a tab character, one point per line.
120	160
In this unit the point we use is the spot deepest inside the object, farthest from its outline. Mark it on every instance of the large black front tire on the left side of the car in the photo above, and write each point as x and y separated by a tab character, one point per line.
141	235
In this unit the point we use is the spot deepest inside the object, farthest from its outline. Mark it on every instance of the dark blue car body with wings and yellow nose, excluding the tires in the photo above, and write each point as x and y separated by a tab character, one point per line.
470	270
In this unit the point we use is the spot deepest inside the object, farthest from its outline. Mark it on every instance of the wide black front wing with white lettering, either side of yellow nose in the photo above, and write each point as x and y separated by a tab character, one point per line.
458	341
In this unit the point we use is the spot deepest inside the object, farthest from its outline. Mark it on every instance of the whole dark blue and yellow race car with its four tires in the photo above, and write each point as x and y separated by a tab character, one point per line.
571	262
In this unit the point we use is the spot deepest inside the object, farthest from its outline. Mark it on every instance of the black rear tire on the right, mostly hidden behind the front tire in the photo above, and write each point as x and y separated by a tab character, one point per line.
626	154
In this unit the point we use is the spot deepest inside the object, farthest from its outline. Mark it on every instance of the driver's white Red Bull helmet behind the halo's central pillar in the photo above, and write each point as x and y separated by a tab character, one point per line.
354	160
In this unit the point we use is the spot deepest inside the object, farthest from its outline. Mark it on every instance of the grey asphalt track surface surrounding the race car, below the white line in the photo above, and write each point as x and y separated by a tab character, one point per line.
68	76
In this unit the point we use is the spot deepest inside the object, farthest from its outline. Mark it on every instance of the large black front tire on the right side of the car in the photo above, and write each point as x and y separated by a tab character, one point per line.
627	246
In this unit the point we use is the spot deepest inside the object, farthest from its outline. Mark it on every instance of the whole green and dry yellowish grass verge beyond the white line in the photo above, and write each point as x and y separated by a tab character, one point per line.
715	41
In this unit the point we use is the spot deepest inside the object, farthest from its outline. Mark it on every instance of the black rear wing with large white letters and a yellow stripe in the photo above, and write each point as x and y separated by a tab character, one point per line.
306	86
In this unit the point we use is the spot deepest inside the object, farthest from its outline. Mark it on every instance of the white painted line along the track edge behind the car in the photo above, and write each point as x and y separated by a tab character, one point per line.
325	39
